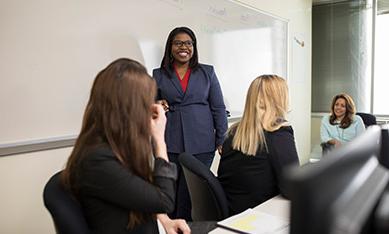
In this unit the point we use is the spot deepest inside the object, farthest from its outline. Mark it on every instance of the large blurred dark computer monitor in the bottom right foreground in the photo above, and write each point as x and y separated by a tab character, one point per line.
338	194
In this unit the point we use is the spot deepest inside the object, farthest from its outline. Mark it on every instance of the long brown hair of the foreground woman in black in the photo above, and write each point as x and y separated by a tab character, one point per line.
118	115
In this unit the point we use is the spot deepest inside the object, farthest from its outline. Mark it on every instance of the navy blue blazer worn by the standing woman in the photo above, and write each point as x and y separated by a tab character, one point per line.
197	120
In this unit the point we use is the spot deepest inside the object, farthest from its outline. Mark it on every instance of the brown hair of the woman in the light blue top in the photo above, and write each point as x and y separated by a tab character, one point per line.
350	111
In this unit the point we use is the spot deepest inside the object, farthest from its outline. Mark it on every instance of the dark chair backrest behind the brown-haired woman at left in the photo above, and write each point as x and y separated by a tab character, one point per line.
64	209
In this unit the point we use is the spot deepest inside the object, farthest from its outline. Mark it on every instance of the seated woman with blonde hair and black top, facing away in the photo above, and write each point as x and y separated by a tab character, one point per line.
258	147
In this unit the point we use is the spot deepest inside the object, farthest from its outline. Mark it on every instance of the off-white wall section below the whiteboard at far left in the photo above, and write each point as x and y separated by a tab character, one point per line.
22	179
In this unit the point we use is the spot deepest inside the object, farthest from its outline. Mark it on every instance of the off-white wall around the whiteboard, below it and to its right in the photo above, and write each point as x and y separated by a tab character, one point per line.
22	177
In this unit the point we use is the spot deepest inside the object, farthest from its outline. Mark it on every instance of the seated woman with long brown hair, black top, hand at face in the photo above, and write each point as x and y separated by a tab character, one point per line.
111	171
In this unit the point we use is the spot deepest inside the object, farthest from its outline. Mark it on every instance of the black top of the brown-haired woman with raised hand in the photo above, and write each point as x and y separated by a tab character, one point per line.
108	191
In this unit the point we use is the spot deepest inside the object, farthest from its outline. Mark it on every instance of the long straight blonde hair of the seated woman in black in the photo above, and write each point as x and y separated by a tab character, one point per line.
265	110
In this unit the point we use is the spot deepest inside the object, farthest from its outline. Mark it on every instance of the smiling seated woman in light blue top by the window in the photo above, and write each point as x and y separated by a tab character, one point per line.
342	125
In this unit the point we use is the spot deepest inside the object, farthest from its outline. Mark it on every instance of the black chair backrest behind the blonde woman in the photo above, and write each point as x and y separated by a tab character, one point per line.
209	202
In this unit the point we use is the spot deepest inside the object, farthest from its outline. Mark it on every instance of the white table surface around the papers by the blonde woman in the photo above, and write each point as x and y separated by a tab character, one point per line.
277	206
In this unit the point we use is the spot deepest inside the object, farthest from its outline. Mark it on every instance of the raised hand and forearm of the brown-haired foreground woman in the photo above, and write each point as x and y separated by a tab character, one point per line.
158	123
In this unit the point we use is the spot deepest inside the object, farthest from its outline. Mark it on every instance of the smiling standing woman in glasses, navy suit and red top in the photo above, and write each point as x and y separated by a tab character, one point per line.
196	117
